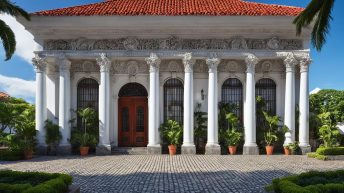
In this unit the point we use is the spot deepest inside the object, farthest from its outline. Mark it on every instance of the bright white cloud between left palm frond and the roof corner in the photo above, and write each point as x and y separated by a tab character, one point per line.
25	40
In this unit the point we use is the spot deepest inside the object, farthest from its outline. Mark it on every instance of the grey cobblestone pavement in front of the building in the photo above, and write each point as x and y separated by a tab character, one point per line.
162	173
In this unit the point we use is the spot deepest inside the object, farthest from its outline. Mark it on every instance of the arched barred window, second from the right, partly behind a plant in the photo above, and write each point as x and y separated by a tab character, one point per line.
232	93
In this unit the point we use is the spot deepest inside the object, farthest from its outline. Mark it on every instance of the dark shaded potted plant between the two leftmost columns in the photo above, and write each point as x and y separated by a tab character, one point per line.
53	136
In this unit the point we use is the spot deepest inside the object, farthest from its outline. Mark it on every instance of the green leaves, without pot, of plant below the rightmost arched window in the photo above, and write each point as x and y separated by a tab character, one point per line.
271	135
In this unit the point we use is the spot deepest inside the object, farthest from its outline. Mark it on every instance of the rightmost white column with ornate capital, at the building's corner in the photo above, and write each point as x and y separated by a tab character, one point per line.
304	106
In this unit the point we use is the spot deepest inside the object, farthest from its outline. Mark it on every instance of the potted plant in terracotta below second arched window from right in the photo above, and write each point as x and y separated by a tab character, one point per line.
232	135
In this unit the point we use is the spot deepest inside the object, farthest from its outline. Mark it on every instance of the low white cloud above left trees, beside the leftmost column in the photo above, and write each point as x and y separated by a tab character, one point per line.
18	87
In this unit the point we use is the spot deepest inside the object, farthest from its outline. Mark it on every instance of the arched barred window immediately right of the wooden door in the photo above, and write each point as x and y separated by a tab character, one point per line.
173	100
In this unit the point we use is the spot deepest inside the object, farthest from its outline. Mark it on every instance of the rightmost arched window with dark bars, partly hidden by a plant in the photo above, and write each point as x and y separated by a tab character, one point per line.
266	88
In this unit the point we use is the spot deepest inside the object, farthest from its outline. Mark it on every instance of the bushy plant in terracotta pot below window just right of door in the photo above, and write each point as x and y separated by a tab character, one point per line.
172	132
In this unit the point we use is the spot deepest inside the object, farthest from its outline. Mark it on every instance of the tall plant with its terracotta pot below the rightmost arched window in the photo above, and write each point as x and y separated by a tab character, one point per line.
270	136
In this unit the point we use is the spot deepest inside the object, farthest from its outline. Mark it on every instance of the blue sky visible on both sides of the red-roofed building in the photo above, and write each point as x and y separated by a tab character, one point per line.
327	70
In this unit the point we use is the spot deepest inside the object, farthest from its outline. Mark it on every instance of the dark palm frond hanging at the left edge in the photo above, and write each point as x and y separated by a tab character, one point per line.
8	39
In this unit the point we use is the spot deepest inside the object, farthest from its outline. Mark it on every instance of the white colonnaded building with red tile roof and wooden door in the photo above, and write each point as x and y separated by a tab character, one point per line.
148	61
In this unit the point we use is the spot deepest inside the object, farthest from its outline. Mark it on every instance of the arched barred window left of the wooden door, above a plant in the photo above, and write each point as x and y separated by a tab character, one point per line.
88	94
